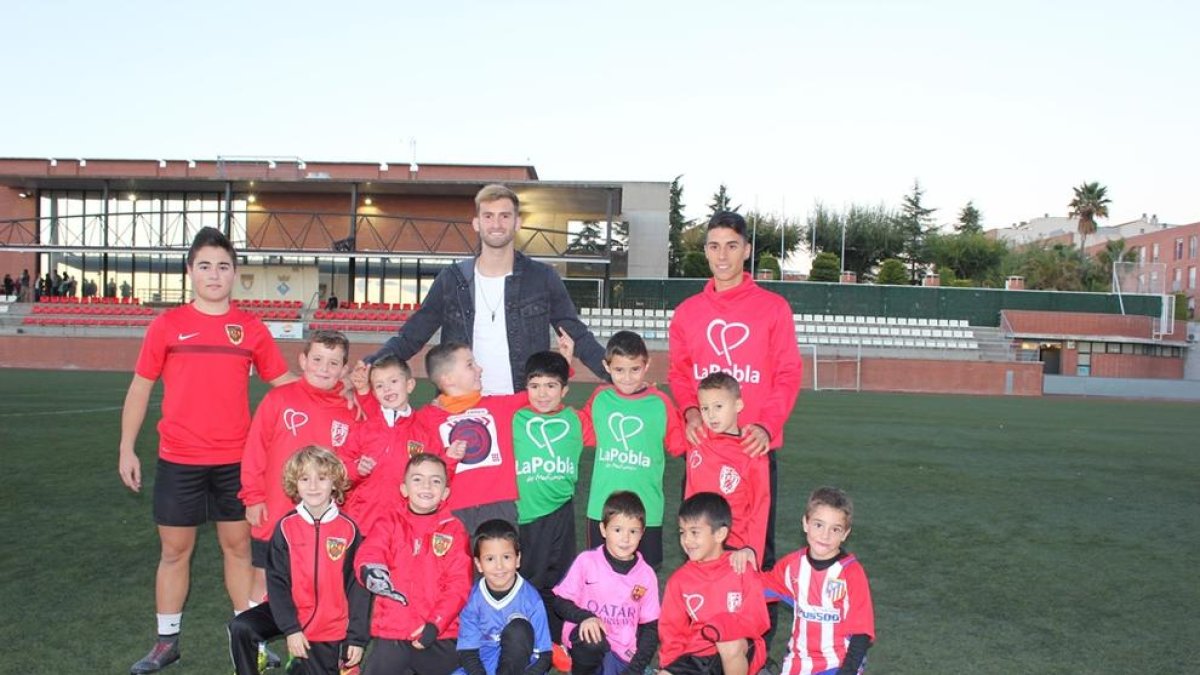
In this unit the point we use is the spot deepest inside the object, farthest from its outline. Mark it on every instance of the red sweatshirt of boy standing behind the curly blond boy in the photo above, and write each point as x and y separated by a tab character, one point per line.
289	419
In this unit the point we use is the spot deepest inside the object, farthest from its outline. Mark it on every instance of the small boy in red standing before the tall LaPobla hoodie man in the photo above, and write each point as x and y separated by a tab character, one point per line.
721	464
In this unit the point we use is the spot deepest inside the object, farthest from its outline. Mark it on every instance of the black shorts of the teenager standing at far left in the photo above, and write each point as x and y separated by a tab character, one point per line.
189	495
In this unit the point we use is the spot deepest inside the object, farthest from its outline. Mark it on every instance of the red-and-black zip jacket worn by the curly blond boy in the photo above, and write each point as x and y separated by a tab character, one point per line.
310	578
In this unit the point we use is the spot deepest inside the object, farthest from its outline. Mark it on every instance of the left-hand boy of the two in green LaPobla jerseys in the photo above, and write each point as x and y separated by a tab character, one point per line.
548	440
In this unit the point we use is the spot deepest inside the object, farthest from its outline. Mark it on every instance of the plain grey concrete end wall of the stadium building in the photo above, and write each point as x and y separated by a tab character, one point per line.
647	207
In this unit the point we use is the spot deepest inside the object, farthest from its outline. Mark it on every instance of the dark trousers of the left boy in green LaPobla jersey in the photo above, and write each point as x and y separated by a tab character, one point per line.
548	551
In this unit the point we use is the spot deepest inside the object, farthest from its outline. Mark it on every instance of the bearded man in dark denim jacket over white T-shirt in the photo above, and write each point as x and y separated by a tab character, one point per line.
501	303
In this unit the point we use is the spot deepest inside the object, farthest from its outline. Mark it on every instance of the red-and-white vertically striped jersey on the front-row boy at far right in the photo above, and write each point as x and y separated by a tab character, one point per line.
829	606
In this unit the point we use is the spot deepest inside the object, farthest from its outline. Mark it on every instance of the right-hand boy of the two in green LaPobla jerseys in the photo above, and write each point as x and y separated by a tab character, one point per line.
637	427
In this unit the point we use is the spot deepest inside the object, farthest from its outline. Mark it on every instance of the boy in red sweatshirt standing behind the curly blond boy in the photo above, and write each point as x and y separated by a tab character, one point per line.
310	411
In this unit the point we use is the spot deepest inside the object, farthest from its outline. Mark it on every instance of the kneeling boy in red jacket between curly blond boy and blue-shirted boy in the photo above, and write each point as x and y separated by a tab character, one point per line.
425	549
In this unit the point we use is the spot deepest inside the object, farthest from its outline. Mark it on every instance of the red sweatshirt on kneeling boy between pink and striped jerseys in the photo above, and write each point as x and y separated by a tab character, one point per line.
706	604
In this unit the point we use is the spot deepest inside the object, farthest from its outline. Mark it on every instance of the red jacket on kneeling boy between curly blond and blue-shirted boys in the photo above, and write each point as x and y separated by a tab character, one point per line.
430	563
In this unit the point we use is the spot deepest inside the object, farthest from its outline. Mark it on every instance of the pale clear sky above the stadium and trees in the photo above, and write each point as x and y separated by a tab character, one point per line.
1006	104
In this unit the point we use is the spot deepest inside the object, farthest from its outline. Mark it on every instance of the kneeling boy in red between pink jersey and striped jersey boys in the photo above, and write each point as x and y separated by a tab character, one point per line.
713	618
